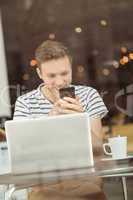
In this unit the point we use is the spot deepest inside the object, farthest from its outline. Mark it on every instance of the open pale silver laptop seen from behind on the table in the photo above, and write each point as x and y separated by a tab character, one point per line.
49	143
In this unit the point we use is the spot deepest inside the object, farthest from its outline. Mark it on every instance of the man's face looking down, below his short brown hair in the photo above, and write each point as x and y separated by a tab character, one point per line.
56	73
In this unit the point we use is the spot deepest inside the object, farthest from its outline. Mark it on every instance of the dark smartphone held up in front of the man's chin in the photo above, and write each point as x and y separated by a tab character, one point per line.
67	92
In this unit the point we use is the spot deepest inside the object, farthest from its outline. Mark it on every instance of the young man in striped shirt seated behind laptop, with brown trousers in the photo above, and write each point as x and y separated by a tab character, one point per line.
54	67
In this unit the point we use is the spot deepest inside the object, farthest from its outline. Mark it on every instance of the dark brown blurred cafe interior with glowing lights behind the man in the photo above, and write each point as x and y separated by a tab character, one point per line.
99	34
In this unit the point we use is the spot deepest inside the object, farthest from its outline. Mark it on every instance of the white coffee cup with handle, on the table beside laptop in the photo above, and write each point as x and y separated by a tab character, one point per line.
118	147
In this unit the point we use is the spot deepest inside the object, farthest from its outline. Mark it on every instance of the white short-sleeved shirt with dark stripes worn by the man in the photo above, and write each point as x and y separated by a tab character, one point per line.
34	104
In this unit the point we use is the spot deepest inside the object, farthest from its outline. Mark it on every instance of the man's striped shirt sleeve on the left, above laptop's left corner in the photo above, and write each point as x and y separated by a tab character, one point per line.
21	109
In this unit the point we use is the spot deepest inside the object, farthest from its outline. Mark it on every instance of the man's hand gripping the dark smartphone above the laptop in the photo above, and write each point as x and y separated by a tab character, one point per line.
66	105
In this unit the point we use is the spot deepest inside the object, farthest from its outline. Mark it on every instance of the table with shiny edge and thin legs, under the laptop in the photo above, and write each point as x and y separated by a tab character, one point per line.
103	169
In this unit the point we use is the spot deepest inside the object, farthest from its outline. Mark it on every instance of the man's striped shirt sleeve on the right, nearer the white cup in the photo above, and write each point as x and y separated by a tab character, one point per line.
95	105
